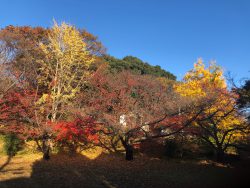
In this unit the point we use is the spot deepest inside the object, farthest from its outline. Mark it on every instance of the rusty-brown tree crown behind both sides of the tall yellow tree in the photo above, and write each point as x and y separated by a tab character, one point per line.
20	46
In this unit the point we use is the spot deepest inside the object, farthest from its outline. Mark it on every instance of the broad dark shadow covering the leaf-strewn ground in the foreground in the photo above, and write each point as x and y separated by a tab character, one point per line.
63	171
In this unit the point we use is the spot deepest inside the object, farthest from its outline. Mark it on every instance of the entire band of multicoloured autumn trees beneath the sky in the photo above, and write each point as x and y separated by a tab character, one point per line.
58	88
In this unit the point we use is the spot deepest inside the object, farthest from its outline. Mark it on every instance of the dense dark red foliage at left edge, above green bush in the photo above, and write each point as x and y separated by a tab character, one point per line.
18	114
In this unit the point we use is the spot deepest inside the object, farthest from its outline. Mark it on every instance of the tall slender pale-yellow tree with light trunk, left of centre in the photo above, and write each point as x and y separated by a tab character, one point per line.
65	67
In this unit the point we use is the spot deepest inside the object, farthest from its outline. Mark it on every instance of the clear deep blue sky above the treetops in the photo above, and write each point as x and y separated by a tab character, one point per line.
170	33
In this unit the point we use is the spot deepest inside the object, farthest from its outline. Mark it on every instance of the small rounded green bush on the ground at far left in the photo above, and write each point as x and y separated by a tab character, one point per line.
12	144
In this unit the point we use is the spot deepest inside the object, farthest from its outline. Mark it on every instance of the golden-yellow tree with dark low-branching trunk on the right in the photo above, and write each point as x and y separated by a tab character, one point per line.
220	124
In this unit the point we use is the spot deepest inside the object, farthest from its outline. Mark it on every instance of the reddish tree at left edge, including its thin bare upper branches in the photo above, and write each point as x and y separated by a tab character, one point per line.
17	103
